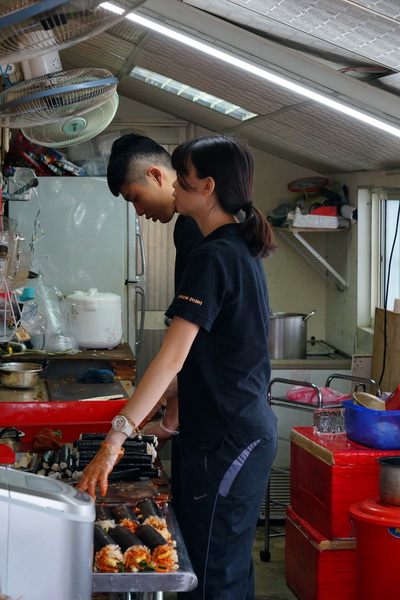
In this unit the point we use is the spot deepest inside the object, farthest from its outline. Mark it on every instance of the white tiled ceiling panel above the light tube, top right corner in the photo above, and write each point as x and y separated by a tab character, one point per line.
369	29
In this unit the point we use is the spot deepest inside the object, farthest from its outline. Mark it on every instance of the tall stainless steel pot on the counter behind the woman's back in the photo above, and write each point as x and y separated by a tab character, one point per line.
288	335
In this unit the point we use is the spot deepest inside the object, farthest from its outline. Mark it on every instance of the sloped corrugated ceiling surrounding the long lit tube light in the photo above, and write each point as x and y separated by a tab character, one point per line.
311	40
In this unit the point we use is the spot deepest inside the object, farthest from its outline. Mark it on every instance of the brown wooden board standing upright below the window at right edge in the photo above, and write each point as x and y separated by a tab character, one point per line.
391	377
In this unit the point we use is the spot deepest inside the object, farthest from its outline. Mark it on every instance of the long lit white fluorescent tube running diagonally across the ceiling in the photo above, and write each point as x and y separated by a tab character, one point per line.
249	67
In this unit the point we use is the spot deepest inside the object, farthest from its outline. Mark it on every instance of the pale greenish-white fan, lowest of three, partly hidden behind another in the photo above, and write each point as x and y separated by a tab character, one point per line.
76	129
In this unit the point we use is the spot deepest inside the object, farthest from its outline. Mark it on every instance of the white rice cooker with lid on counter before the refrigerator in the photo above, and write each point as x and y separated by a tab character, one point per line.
95	318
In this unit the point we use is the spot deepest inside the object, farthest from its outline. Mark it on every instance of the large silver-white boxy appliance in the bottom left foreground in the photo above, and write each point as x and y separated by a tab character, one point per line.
46	532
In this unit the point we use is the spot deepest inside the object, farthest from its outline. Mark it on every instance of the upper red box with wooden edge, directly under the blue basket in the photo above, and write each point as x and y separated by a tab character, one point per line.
327	475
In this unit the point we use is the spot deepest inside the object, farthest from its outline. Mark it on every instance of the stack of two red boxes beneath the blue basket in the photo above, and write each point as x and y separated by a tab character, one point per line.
329	473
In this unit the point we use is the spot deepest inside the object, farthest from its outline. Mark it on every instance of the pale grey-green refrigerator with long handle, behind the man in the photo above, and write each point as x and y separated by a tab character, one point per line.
83	237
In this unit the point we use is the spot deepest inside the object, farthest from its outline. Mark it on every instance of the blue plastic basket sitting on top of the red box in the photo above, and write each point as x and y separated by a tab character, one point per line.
372	428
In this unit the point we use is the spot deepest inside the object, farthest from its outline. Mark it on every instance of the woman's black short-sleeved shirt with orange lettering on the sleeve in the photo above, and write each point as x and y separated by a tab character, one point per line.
223	382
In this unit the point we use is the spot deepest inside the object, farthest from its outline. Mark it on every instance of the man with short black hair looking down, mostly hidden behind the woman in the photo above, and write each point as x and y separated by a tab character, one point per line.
140	170
